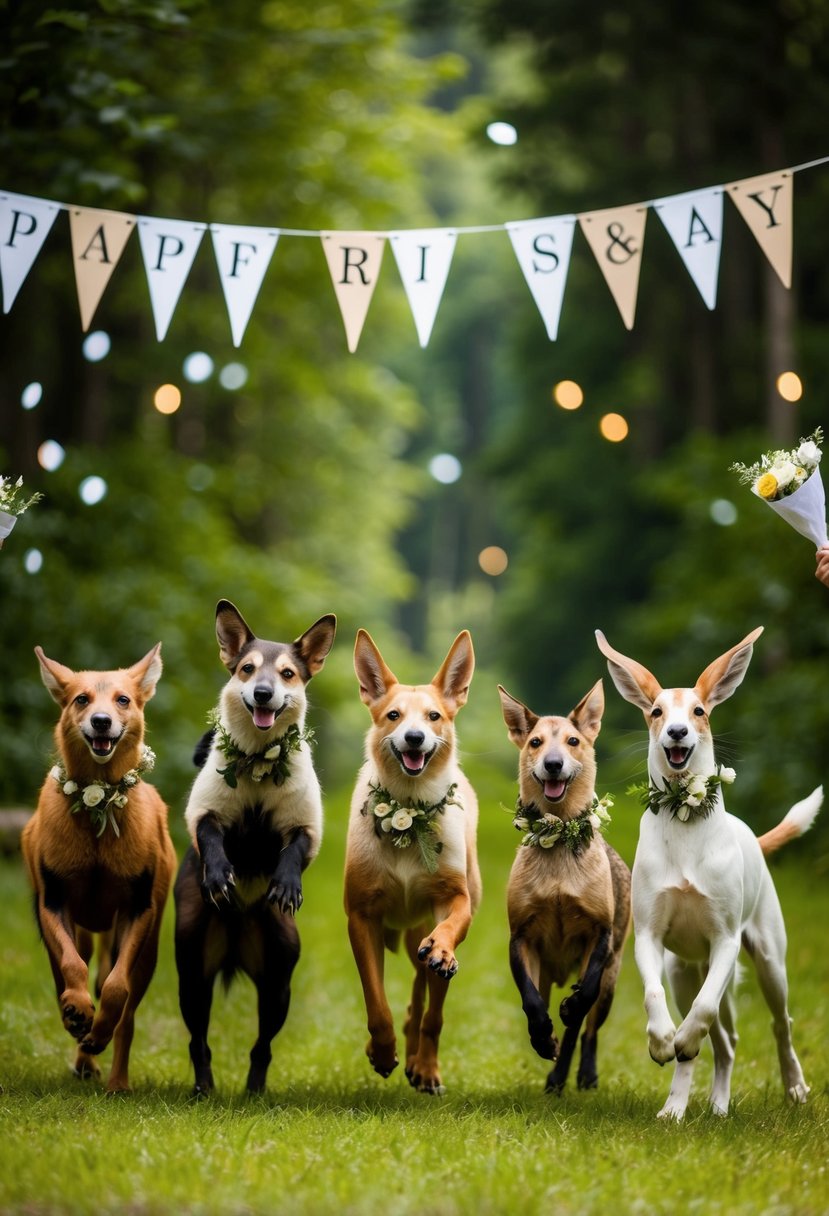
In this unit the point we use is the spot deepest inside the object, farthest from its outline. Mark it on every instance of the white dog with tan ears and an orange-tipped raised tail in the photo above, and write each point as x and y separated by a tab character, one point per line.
701	885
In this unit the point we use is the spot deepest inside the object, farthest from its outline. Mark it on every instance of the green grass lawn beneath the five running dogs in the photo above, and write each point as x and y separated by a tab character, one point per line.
330	1136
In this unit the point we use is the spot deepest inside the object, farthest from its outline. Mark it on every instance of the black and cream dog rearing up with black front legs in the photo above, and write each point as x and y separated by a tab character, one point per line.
256	820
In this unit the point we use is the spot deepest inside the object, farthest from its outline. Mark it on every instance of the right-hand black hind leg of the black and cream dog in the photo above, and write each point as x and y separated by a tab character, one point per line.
269	955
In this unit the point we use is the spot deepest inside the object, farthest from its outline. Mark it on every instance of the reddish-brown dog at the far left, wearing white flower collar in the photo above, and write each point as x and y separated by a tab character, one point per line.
100	857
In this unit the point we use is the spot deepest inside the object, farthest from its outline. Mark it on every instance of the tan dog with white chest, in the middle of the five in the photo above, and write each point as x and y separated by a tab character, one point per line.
411	860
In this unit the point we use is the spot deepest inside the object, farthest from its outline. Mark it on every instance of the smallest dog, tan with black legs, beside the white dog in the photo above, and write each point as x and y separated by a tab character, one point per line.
569	893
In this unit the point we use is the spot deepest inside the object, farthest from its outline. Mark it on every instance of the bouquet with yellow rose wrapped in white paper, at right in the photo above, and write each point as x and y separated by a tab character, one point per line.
792	486
